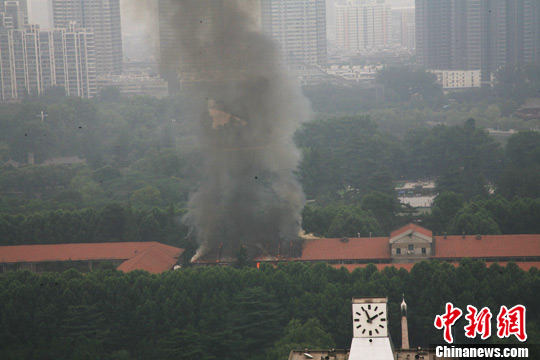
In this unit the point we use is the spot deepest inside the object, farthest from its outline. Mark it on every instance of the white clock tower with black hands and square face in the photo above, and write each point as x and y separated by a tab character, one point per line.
370	330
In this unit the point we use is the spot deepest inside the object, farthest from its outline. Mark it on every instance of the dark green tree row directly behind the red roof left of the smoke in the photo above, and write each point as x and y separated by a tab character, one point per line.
112	223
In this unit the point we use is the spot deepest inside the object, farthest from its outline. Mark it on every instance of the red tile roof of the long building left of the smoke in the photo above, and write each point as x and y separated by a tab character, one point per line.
145	252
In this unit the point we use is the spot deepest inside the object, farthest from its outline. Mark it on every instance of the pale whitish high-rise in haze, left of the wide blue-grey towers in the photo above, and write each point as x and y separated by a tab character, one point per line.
361	25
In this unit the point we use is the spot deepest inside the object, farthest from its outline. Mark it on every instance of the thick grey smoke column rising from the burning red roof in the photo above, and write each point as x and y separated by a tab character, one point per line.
249	109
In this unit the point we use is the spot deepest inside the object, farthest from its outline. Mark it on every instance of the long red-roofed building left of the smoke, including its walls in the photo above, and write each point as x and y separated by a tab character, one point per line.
153	257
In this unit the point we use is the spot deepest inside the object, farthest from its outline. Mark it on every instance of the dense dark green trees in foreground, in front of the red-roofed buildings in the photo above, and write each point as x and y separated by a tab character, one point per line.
248	313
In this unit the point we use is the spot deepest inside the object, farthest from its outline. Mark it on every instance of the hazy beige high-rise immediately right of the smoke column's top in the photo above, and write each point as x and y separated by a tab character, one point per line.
299	27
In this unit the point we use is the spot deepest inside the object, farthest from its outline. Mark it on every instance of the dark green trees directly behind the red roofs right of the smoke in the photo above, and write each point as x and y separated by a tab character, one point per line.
379	214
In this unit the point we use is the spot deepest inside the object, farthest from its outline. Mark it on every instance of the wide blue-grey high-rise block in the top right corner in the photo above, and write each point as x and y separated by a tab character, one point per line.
477	34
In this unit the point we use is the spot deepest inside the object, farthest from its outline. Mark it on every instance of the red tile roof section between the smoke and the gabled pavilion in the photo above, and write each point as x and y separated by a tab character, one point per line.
353	248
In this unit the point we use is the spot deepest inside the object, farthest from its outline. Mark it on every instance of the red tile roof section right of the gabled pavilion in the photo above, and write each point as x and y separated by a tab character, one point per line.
488	246
